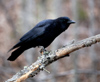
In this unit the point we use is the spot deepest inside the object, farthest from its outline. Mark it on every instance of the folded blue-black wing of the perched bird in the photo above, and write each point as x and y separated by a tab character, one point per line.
36	31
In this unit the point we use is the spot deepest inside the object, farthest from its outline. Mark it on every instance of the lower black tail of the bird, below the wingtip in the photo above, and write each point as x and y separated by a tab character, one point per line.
16	53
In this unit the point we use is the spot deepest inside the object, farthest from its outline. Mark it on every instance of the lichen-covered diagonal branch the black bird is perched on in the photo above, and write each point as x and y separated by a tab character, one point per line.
50	57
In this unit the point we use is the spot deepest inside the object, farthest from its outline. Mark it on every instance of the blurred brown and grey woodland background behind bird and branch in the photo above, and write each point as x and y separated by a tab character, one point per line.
18	16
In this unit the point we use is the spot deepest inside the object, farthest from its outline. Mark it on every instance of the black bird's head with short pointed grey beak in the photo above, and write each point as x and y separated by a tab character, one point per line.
64	22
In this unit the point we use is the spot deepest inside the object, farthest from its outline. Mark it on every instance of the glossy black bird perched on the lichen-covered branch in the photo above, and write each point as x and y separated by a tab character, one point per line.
41	35
